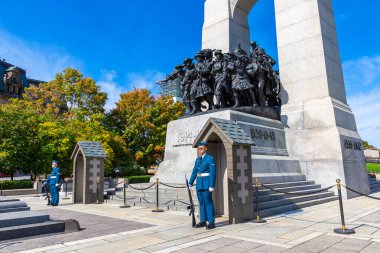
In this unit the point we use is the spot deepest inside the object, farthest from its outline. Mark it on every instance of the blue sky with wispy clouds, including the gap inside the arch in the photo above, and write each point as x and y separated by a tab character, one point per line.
124	44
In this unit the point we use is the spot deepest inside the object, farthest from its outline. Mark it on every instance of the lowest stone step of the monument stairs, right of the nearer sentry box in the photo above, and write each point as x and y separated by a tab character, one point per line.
290	207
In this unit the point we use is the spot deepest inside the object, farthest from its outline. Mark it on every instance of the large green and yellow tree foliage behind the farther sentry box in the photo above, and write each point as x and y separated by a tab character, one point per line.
50	119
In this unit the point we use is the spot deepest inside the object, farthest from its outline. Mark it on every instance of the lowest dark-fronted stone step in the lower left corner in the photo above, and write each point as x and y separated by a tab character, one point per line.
25	230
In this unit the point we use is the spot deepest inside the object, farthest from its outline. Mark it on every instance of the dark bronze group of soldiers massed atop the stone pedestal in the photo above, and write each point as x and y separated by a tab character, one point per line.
235	79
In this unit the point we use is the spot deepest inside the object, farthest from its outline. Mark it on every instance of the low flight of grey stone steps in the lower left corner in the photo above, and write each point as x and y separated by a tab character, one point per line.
16	221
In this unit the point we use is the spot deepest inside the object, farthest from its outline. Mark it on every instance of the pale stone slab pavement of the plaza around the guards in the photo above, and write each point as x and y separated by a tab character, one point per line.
309	230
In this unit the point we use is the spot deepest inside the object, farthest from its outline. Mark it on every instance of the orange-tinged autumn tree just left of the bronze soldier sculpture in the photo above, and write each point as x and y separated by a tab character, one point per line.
141	120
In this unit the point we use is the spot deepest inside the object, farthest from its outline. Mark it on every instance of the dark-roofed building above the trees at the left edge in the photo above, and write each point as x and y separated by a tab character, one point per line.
13	81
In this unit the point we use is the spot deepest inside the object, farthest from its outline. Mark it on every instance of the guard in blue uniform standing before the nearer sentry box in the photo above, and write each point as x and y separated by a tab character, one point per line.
205	173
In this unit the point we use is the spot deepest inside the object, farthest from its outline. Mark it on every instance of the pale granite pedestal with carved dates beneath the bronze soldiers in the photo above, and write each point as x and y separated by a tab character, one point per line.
269	157
